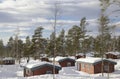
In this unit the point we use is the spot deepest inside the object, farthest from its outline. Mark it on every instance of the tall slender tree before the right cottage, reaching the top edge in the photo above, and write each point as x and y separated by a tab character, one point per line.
104	29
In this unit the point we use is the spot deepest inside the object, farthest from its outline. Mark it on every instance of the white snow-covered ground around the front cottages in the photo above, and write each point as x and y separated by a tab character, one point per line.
16	72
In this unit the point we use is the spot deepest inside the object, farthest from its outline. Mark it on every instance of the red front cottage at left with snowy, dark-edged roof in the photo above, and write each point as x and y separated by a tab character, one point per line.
40	68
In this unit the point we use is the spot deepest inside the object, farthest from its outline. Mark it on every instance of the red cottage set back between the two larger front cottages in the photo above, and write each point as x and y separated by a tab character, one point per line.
64	61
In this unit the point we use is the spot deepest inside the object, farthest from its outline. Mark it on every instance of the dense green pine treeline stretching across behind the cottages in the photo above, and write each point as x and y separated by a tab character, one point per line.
75	41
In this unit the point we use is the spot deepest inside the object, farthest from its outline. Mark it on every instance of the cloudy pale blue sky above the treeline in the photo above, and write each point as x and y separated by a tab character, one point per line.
29	14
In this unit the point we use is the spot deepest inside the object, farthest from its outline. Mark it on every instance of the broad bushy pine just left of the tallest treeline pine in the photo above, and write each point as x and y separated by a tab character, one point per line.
72	41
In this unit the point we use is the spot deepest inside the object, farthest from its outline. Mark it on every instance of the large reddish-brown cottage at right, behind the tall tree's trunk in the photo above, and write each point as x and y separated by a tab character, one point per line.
94	65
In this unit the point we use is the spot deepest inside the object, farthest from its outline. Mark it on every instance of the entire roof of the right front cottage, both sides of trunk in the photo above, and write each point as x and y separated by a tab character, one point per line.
91	60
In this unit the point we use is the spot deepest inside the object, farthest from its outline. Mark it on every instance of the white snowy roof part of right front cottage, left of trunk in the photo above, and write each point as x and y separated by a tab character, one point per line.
89	60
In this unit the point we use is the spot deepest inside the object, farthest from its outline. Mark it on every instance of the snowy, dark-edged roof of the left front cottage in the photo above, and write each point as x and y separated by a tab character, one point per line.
36	65
